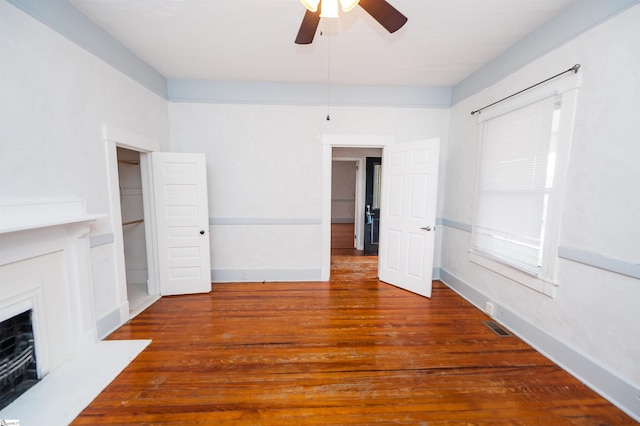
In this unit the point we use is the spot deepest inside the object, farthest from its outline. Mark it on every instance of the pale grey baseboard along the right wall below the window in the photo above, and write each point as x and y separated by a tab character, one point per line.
612	387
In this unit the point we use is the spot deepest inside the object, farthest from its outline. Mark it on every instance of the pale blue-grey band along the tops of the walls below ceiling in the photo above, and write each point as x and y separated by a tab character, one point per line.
64	18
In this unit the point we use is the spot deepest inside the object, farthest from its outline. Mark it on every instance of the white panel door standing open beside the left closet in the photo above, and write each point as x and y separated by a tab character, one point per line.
182	222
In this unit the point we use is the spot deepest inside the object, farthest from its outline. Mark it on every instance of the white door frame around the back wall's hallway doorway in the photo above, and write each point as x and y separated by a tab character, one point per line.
329	141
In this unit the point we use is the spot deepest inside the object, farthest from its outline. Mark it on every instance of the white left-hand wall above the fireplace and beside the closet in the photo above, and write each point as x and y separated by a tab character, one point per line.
56	97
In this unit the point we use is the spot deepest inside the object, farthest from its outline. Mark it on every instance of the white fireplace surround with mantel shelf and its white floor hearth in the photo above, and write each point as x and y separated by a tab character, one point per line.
45	268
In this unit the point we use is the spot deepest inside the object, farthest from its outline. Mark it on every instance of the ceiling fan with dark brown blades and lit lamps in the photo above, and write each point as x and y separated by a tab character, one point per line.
388	16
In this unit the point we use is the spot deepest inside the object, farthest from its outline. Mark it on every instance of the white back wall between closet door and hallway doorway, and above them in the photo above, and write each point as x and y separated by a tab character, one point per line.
265	177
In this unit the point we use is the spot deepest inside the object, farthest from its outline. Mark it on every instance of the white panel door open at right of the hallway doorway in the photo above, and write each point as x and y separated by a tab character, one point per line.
407	226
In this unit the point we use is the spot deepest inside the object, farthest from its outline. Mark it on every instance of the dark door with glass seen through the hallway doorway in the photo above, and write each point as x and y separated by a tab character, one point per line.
372	206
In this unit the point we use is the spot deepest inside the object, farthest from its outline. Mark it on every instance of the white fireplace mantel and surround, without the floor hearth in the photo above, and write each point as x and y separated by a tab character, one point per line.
45	266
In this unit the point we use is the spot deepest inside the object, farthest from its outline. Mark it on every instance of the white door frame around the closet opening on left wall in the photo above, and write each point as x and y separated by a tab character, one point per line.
116	138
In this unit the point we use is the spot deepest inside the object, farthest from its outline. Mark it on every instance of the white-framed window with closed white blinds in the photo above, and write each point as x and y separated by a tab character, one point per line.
519	190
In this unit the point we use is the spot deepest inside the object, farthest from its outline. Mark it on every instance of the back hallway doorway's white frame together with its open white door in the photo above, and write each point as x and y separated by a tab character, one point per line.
408	200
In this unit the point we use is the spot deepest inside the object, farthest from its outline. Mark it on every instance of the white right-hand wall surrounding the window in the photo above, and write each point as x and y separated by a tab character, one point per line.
595	312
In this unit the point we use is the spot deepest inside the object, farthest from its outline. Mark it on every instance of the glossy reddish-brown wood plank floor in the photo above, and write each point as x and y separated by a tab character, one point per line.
351	351
